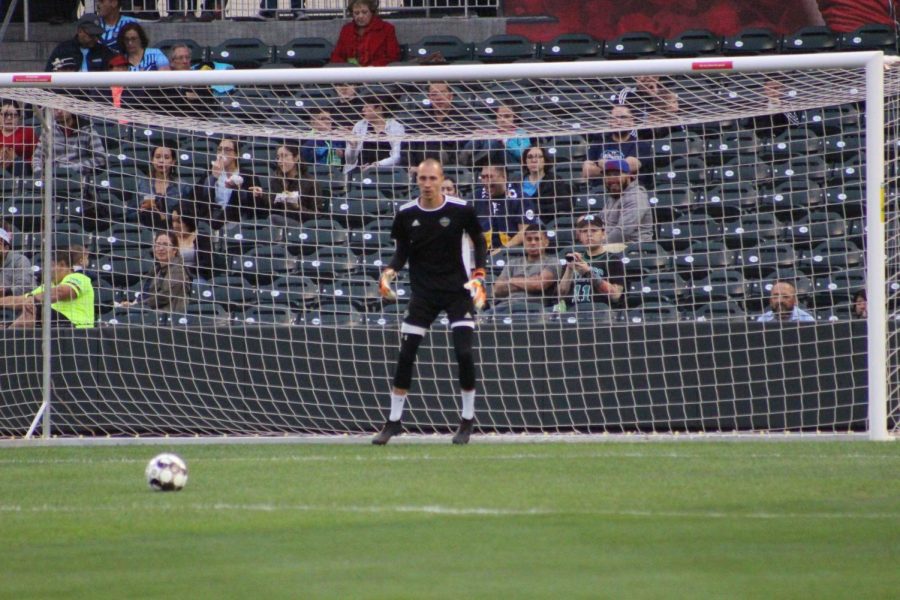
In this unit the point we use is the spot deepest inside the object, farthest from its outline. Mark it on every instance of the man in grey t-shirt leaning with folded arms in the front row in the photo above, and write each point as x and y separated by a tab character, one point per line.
531	275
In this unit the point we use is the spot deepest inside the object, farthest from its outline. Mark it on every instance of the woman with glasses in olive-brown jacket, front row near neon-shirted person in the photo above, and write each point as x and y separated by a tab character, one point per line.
170	286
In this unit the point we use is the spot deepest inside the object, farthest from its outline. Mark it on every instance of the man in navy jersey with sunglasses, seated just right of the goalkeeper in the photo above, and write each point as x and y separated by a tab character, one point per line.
503	210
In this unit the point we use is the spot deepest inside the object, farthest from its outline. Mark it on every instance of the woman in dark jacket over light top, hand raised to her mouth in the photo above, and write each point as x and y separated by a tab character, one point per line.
224	196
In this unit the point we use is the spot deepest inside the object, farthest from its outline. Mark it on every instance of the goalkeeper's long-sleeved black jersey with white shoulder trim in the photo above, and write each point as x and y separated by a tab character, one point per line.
443	245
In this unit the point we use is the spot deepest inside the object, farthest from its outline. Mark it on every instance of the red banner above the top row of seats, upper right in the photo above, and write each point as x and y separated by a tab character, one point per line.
607	19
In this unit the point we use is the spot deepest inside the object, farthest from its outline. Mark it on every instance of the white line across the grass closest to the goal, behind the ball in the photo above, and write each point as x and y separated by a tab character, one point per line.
374	457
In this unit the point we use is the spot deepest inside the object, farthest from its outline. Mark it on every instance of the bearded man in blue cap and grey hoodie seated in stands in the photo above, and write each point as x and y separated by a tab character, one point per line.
626	207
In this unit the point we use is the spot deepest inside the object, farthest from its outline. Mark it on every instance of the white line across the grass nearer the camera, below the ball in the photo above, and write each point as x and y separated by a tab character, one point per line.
439	510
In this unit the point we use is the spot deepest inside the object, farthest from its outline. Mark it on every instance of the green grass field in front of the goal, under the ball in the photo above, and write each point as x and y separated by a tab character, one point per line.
587	520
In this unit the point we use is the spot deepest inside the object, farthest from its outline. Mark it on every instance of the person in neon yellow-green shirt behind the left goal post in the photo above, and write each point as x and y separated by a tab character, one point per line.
72	297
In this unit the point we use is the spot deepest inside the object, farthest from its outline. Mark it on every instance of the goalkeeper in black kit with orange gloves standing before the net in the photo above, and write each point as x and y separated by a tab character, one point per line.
436	234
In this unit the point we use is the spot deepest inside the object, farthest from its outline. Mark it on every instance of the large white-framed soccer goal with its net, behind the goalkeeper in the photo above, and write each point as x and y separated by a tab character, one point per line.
753	291
